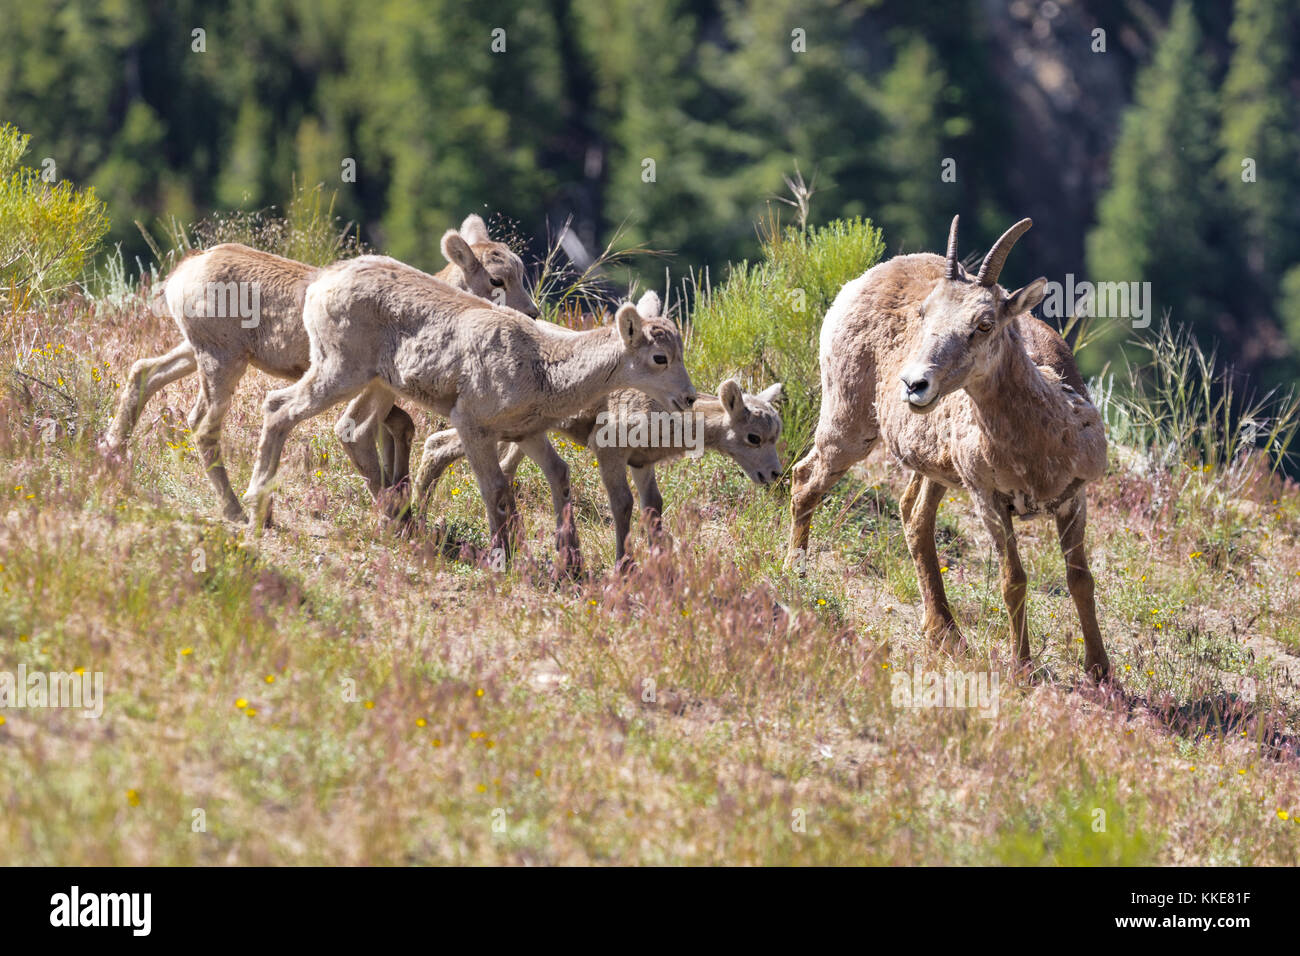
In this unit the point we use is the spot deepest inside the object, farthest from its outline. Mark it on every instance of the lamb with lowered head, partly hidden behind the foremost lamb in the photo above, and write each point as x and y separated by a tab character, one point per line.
740	426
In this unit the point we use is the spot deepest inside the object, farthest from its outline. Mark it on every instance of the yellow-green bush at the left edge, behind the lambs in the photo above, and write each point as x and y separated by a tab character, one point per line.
49	231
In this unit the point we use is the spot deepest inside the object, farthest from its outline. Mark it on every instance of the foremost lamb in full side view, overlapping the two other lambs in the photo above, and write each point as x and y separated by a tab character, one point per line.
497	375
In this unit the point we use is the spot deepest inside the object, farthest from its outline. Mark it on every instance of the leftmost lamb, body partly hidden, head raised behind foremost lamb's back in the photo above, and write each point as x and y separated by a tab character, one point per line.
237	306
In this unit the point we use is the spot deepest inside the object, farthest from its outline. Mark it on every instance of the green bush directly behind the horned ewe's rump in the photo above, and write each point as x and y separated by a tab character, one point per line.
764	323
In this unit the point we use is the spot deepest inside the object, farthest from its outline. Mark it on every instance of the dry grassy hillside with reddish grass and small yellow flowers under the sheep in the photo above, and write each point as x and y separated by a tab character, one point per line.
337	694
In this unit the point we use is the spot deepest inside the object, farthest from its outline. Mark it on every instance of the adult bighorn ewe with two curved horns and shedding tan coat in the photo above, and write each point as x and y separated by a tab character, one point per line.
990	400
